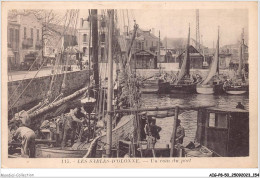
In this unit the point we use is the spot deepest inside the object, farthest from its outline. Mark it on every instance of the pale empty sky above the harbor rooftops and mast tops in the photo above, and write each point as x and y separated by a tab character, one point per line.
174	23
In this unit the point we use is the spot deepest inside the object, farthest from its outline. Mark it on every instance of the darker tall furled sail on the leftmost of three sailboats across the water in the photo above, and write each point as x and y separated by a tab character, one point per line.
185	67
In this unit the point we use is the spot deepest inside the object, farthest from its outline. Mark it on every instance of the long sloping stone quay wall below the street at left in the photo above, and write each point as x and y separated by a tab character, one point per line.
37	90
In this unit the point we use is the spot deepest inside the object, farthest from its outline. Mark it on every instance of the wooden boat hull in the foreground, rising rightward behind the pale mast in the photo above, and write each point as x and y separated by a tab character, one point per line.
80	149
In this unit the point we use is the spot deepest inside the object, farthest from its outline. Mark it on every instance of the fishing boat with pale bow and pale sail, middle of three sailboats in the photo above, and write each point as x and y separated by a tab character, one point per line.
212	84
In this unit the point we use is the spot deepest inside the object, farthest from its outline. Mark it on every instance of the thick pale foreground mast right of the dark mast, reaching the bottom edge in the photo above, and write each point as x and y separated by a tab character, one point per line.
110	83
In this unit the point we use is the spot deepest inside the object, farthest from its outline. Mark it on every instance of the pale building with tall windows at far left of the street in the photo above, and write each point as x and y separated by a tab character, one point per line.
24	38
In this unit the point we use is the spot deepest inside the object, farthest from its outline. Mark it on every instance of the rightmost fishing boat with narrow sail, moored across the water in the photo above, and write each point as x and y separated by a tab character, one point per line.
240	84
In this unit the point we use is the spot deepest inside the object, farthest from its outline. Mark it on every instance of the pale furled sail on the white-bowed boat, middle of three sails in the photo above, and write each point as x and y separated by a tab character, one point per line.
215	64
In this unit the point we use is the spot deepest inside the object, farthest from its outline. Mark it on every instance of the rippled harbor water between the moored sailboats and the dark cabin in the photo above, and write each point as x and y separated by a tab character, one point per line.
188	118
